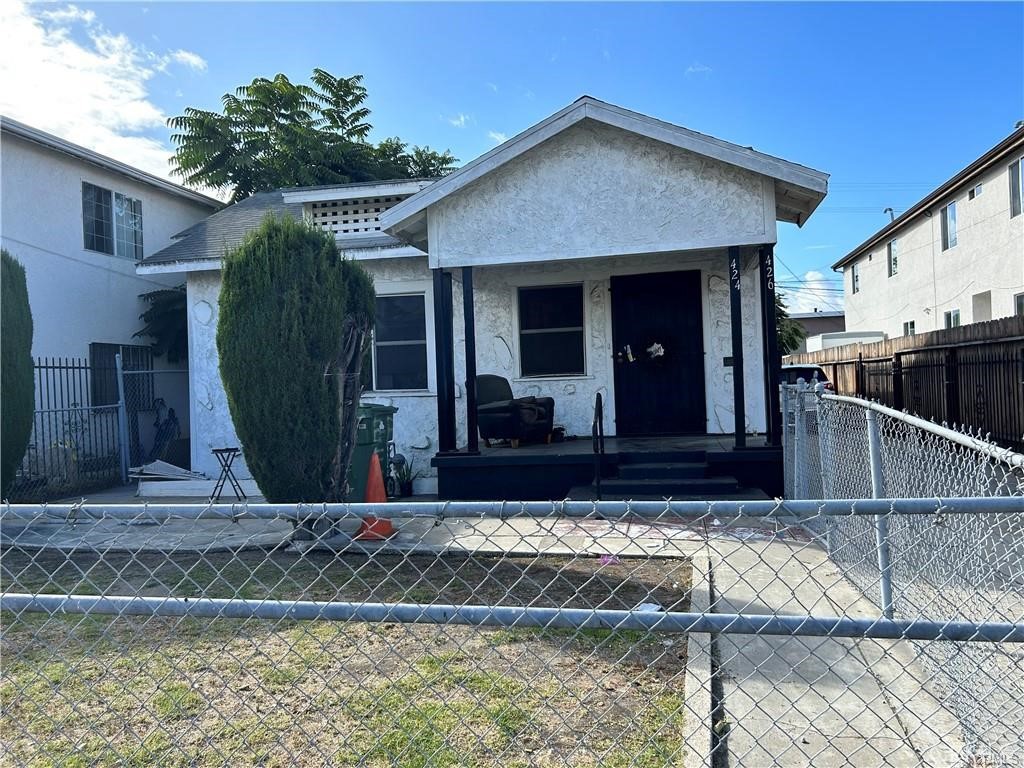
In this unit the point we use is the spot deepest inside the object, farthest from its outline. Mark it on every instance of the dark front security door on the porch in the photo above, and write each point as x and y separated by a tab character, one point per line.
658	338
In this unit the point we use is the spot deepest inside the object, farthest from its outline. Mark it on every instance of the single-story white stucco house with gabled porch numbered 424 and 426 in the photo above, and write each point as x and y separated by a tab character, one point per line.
572	248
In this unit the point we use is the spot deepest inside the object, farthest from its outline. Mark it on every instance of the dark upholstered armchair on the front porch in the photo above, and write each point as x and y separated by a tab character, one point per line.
500	416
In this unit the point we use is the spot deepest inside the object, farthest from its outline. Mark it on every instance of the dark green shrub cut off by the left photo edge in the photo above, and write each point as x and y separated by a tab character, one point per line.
18	394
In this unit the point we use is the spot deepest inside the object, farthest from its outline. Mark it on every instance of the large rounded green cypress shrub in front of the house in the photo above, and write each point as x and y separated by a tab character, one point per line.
294	321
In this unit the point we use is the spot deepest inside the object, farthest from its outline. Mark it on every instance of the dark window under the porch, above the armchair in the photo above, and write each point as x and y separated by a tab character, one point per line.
551	331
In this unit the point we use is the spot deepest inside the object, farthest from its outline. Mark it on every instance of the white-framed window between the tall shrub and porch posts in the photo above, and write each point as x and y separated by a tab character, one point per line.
400	360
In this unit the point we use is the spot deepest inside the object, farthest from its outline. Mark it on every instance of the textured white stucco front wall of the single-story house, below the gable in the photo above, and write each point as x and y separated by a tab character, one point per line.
495	294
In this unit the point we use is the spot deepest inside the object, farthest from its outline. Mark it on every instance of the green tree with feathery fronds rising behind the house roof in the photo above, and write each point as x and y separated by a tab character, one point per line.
276	134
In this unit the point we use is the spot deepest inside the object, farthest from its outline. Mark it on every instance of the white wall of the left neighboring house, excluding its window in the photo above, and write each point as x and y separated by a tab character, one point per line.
78	296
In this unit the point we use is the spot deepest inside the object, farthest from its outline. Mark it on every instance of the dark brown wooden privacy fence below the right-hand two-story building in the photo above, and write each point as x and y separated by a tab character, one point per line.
971	376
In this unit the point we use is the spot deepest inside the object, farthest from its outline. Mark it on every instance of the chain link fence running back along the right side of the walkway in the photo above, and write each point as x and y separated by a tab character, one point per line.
935	567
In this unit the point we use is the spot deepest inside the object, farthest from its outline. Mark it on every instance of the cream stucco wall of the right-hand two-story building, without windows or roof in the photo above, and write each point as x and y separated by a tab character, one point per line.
989	258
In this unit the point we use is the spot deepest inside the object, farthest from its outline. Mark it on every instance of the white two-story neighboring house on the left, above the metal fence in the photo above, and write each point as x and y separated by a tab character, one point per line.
79	222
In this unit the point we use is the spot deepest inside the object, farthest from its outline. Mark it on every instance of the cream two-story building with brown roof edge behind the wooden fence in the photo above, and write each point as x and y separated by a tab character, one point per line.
955	258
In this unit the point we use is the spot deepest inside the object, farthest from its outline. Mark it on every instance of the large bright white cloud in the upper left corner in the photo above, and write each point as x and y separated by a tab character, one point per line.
92	90
